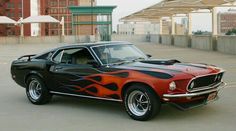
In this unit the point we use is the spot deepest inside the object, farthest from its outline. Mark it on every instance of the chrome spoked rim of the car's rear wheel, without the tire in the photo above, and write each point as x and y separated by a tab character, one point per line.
35	89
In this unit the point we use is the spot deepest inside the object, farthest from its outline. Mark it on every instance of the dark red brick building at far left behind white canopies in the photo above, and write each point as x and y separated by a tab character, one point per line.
13	9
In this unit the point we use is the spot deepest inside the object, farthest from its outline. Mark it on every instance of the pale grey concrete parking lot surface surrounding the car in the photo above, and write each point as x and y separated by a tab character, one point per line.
79	114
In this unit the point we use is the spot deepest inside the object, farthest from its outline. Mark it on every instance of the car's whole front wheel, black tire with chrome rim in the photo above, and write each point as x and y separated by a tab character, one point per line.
141	103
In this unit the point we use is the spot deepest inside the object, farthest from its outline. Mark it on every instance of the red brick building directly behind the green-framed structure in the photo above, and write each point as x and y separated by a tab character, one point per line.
59	9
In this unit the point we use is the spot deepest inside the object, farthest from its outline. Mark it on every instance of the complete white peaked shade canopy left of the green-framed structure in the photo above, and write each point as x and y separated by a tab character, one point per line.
40	19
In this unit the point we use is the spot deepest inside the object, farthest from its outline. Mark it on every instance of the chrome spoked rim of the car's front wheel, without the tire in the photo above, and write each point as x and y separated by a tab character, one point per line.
138	103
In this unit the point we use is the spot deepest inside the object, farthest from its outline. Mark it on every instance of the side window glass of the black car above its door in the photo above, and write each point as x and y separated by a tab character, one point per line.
74	56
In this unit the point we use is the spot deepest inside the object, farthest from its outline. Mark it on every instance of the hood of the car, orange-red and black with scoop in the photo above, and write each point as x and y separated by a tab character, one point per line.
171	67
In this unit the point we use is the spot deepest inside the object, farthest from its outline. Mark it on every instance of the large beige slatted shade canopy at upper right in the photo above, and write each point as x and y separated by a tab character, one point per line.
167	8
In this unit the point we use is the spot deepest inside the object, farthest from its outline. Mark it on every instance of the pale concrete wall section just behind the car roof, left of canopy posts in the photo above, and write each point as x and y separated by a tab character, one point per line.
129	38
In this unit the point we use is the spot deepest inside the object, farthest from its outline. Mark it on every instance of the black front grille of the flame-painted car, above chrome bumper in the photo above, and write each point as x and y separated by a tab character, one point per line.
205	81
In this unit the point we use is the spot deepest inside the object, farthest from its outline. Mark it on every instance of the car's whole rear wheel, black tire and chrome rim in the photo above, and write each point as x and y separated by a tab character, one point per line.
36	91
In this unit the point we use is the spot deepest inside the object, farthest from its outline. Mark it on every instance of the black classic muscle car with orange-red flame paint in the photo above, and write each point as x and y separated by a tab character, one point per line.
117	71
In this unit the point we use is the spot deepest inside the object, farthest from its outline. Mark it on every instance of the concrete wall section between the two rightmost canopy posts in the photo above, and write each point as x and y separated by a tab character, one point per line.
202	42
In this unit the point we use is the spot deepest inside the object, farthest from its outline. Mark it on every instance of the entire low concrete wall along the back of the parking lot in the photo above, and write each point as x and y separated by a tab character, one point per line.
225	44
